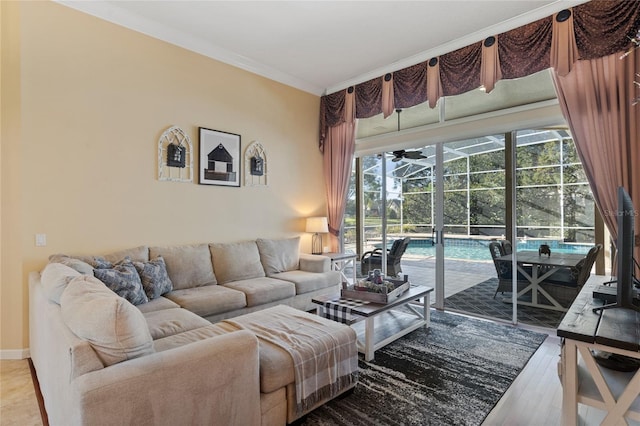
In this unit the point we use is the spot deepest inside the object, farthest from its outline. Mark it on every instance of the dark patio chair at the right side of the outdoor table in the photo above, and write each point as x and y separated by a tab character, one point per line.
565	284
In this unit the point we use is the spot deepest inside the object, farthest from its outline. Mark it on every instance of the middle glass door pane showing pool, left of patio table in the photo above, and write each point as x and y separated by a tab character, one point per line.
474	209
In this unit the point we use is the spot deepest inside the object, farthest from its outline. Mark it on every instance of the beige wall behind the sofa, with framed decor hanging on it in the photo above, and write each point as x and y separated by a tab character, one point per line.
83	105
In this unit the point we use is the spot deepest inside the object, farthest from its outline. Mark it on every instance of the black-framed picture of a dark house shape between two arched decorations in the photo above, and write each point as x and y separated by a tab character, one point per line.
219	155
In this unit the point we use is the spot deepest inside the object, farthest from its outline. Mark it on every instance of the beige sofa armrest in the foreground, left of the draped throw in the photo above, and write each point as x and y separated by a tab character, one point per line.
215	381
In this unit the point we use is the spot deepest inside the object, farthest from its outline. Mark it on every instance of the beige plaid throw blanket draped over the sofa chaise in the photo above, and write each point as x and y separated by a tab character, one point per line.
324	352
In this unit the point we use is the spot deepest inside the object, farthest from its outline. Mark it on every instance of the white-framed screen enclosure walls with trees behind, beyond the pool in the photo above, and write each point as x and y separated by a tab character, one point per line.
554	202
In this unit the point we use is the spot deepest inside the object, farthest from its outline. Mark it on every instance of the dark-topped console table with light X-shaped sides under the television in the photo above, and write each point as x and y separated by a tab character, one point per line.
583	380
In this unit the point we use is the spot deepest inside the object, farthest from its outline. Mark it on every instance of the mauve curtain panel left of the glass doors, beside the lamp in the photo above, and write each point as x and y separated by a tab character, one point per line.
338	149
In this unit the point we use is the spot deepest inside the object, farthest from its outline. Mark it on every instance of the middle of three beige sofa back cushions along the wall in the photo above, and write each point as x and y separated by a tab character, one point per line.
236	261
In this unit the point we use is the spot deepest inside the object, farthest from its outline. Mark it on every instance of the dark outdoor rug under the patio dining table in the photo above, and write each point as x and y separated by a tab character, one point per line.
478	300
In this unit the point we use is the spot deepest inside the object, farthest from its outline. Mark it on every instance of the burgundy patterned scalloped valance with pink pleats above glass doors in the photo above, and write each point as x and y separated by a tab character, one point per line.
591	30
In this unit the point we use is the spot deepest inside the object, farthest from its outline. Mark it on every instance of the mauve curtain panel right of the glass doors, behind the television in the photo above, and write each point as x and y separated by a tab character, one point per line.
595	98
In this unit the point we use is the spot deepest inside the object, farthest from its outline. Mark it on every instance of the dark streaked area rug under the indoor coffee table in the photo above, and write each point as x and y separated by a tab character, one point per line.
450	374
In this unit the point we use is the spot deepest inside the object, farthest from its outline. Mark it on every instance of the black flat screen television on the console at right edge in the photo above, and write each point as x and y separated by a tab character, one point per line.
625	276
